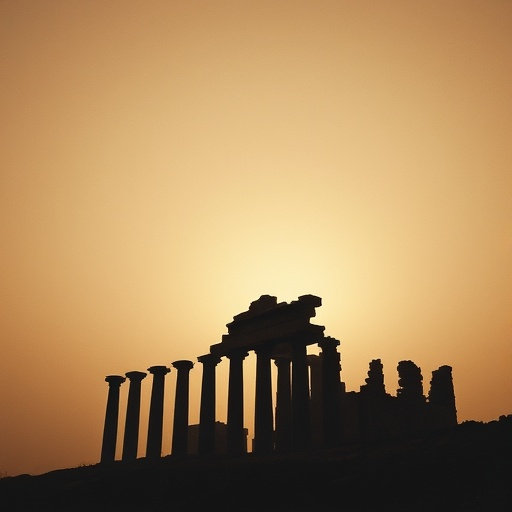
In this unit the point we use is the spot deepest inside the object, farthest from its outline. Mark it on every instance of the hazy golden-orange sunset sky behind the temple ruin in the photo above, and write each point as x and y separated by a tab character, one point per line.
165	163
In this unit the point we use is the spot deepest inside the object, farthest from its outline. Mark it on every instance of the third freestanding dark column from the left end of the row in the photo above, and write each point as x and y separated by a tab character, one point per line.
156	412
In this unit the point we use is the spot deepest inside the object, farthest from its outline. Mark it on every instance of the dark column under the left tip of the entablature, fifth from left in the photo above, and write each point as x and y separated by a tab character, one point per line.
207	412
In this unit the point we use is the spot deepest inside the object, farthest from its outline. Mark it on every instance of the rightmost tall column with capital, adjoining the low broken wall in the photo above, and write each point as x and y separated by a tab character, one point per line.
331	392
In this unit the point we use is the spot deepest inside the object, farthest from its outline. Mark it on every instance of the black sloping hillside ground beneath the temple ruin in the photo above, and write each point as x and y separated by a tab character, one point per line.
467	468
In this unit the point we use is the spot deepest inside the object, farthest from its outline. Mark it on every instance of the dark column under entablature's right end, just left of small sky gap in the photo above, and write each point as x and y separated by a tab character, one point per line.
301	427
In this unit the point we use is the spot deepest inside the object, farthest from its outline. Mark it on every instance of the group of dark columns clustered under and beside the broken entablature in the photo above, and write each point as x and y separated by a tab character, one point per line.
293	419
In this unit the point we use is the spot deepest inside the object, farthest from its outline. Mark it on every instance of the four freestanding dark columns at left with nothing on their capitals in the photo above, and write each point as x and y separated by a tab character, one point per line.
156	408
